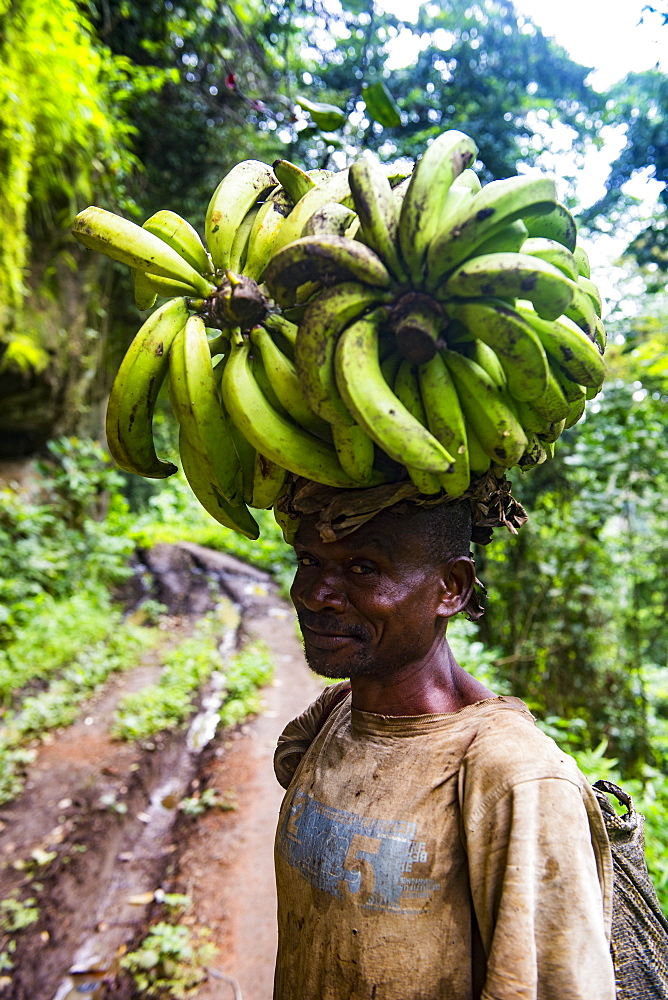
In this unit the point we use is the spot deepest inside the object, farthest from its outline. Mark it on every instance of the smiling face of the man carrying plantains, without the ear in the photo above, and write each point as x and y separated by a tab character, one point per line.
368	604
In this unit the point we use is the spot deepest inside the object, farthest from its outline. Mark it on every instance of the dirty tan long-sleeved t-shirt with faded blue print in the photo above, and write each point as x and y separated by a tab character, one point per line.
395	830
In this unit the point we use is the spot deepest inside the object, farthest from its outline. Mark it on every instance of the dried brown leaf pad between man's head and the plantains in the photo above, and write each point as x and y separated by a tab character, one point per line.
340	512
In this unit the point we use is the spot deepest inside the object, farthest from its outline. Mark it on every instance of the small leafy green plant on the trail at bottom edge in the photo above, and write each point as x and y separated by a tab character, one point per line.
170	962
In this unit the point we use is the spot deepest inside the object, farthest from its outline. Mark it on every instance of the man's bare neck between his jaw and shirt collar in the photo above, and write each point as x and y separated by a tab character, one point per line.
435	686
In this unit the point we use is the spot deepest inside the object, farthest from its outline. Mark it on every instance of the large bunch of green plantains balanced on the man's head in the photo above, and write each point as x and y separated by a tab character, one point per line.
355	327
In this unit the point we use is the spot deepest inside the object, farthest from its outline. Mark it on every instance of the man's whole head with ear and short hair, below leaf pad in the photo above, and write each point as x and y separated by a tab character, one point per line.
379	599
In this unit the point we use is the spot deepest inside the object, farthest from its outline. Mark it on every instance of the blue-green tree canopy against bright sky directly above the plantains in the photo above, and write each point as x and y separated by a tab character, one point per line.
483	68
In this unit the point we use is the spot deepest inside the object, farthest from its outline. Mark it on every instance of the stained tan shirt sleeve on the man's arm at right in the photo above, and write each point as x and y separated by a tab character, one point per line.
538	894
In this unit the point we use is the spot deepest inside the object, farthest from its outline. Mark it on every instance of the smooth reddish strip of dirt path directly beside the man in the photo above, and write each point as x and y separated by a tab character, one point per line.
228	866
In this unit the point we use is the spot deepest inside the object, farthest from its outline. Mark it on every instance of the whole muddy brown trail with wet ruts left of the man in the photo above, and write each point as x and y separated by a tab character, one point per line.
97	837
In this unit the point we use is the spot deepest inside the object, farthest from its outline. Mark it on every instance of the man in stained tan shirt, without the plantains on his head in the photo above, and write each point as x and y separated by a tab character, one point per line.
433	844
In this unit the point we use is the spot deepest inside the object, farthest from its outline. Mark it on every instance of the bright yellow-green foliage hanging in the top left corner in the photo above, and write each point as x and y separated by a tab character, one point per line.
59	135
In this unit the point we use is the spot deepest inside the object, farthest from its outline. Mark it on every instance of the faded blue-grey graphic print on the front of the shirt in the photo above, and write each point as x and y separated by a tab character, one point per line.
372	862
